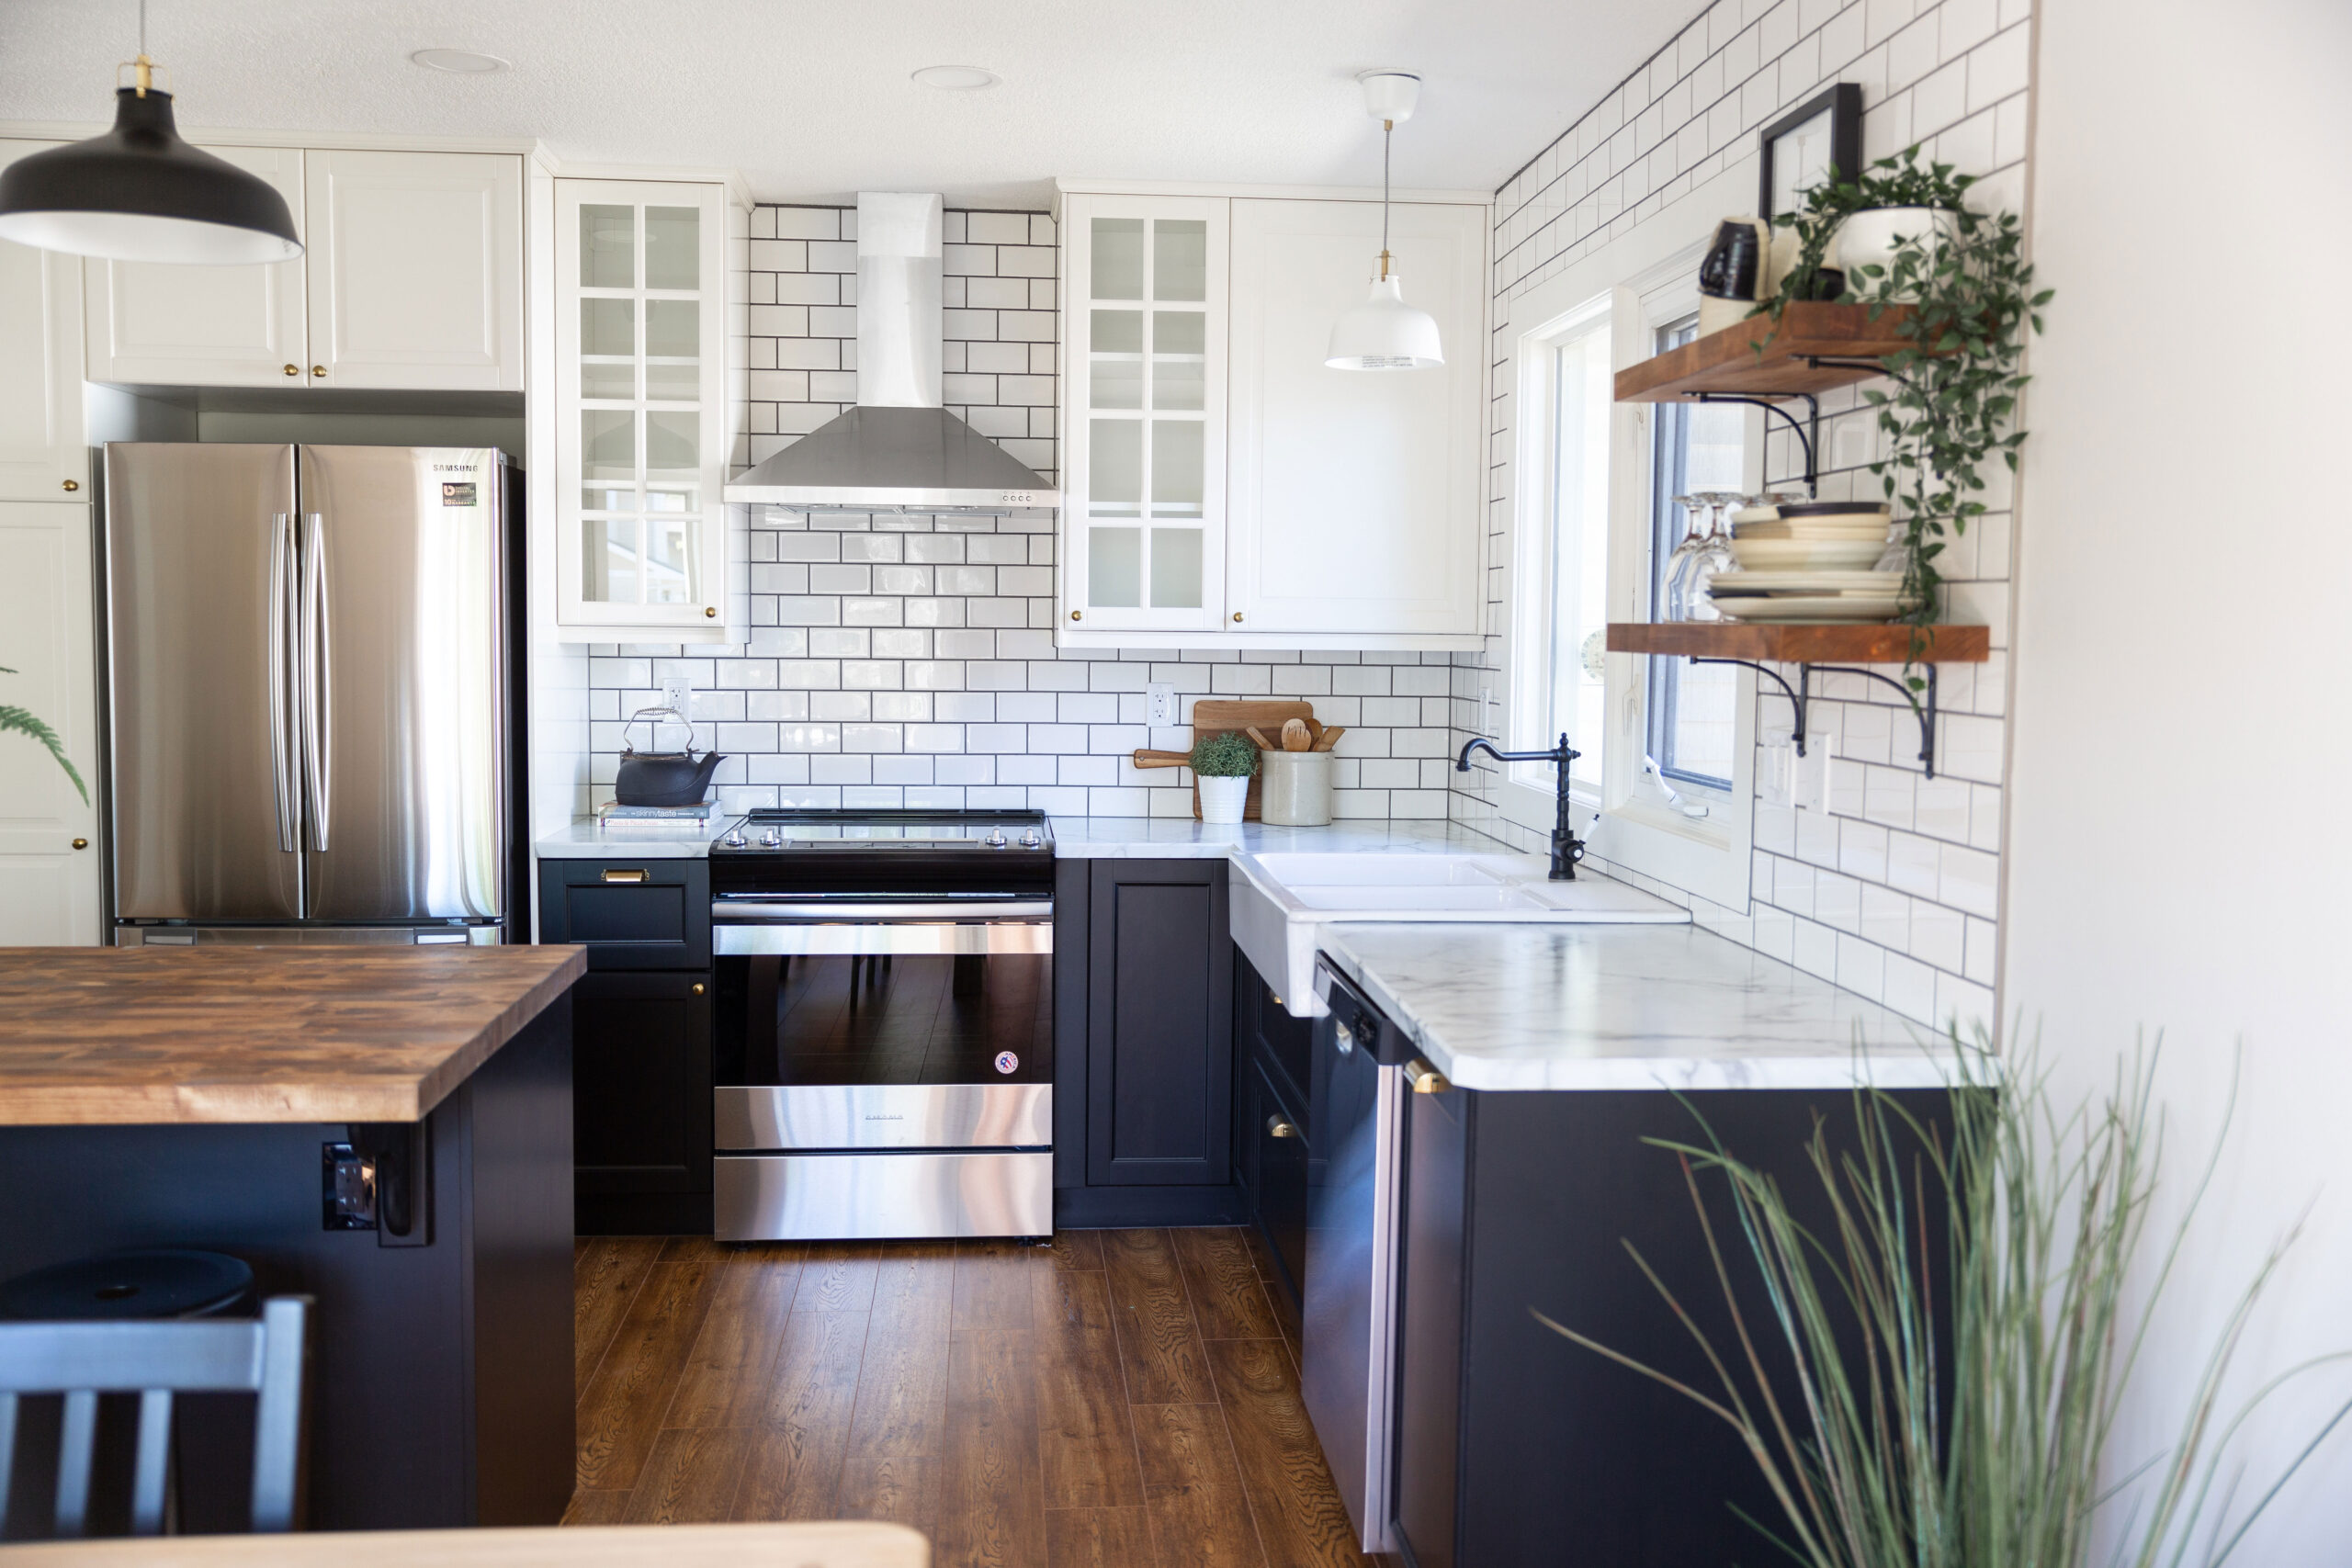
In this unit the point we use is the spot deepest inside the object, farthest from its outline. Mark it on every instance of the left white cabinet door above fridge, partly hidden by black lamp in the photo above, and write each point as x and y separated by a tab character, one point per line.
156	323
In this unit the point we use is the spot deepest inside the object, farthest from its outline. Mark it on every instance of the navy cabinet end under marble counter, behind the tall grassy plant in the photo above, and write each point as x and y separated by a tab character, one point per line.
1521	1447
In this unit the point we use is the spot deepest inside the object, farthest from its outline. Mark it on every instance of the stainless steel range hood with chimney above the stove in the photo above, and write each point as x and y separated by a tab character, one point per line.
900	450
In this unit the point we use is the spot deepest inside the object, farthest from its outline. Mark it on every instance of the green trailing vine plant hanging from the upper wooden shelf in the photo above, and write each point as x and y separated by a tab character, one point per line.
1956	384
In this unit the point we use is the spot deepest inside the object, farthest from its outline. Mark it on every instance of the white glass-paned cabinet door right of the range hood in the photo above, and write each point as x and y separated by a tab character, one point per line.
1144	413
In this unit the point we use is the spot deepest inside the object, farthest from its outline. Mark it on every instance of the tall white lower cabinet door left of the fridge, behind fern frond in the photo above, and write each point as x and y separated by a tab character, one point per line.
48	831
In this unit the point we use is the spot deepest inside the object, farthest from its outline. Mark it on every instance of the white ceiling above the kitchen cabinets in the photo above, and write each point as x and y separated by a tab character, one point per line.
813	98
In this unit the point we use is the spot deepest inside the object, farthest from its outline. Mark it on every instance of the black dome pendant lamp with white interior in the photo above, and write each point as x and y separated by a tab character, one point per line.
142	194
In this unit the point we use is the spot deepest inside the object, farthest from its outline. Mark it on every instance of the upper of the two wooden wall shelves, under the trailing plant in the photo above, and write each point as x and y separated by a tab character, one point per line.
1730	363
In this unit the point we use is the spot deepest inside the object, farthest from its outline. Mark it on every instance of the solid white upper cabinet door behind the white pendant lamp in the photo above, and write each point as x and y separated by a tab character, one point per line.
1356	497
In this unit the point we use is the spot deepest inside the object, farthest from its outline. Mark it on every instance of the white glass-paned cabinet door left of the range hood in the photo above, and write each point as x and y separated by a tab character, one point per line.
641	443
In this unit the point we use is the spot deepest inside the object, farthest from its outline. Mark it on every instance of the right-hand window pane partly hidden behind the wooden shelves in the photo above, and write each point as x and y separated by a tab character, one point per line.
1692	709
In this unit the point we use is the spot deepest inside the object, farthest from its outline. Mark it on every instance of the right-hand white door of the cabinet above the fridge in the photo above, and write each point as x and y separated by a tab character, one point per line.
415	272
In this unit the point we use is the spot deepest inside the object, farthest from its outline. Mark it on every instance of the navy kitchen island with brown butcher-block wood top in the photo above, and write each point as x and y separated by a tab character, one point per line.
203	1097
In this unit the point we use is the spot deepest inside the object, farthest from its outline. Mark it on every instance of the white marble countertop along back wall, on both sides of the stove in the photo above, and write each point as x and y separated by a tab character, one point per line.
1081	838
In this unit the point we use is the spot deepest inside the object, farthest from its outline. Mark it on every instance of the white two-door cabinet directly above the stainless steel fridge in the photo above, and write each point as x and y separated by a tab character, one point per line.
413	279
